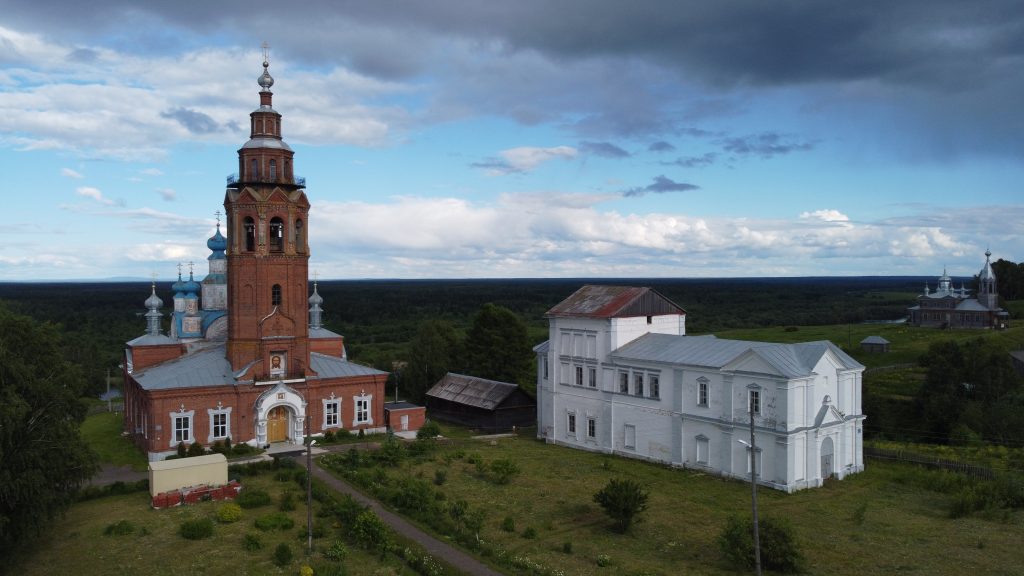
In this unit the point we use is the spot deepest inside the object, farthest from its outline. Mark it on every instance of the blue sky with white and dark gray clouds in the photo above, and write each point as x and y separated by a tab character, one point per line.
457	139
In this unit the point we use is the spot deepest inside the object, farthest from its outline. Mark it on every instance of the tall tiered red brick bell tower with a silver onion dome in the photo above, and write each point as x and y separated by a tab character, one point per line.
269	255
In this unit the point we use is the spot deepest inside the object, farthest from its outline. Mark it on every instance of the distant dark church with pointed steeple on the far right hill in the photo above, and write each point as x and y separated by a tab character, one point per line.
949	307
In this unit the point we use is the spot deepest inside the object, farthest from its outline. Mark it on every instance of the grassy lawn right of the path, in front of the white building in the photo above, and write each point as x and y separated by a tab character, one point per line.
902	528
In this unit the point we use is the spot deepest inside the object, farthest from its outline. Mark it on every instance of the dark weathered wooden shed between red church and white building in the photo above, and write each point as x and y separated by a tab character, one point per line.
488	405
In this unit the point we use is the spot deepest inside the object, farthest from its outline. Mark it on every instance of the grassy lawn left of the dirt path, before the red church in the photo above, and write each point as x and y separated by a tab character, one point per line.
77	544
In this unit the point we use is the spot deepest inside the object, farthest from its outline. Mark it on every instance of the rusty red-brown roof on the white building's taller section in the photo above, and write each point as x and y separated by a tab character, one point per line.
615	302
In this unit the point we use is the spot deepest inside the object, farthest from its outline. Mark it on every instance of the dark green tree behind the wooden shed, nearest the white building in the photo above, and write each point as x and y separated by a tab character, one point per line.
498	347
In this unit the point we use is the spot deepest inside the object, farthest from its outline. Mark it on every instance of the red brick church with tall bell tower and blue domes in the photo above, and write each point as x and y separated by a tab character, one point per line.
246	357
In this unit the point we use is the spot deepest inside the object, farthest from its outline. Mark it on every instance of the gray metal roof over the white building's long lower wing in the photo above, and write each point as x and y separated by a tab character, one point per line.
793	361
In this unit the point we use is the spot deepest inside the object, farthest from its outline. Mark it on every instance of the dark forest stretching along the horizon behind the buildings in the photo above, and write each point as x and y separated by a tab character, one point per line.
380	318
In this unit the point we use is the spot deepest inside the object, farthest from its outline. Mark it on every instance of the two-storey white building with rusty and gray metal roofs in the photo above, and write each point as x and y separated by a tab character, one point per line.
620	376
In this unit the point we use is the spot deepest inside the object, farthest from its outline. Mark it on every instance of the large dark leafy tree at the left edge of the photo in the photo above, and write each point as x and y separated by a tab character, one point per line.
44	460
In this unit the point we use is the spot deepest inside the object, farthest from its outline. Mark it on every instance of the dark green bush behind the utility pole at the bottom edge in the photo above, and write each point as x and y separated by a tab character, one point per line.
779	547
